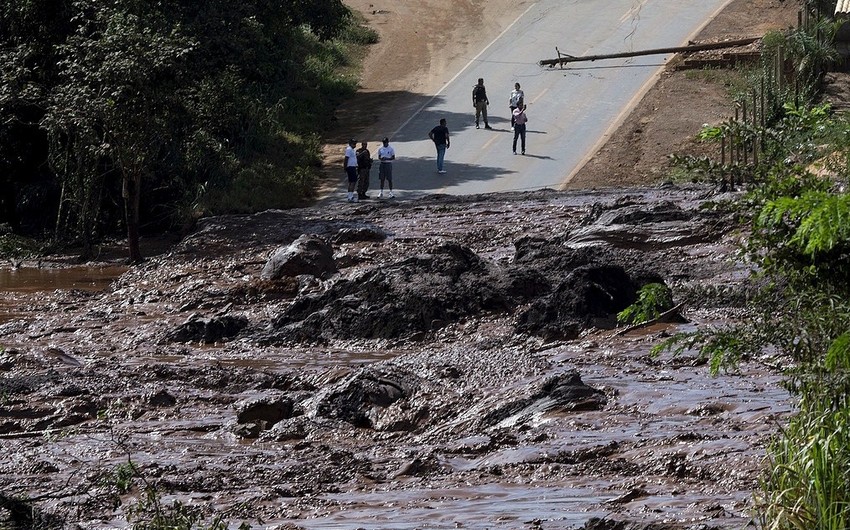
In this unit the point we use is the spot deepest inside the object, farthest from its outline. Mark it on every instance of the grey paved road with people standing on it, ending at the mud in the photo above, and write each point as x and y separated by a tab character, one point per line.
570	111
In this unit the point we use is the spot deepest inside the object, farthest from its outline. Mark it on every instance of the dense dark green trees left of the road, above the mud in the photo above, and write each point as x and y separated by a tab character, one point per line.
132	114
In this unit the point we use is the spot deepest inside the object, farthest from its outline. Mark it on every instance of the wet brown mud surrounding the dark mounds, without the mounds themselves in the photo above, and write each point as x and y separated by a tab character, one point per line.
90	381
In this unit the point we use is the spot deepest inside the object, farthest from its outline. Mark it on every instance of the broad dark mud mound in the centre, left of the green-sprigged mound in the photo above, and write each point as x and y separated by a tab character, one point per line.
417	294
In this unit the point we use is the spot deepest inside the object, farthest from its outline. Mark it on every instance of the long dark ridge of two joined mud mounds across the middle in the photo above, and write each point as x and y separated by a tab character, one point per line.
569	289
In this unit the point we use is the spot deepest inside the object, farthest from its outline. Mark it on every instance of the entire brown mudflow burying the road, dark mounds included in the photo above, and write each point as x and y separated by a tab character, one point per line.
439	363
